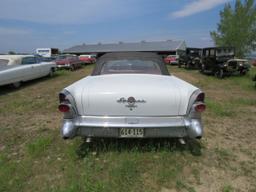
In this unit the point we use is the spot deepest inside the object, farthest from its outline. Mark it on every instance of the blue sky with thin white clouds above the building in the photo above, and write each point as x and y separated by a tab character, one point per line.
28	24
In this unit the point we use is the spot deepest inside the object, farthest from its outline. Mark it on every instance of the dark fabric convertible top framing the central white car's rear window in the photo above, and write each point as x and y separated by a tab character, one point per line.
148	56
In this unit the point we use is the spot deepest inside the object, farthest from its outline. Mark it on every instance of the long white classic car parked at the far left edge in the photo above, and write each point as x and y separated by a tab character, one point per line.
15	69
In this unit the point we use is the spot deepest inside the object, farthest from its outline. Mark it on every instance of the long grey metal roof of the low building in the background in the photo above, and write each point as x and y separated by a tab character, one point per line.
161	47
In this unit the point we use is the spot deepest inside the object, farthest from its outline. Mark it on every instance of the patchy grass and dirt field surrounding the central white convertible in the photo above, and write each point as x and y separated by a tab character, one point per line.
33	157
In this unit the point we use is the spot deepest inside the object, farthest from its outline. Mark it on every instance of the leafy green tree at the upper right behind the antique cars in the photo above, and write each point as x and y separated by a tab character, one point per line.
237	27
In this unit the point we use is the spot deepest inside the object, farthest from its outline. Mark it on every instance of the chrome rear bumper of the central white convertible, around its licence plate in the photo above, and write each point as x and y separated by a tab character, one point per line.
154	127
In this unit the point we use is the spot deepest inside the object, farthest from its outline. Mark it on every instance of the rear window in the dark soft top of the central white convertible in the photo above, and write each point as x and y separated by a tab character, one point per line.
130	66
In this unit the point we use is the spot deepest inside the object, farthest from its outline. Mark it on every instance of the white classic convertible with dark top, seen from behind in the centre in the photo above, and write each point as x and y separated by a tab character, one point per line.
131	95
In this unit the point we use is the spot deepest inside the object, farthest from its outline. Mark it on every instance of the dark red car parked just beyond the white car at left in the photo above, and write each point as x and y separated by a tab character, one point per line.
71	62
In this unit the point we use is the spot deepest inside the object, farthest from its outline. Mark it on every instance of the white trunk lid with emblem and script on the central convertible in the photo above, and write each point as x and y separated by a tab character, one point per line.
131	95
